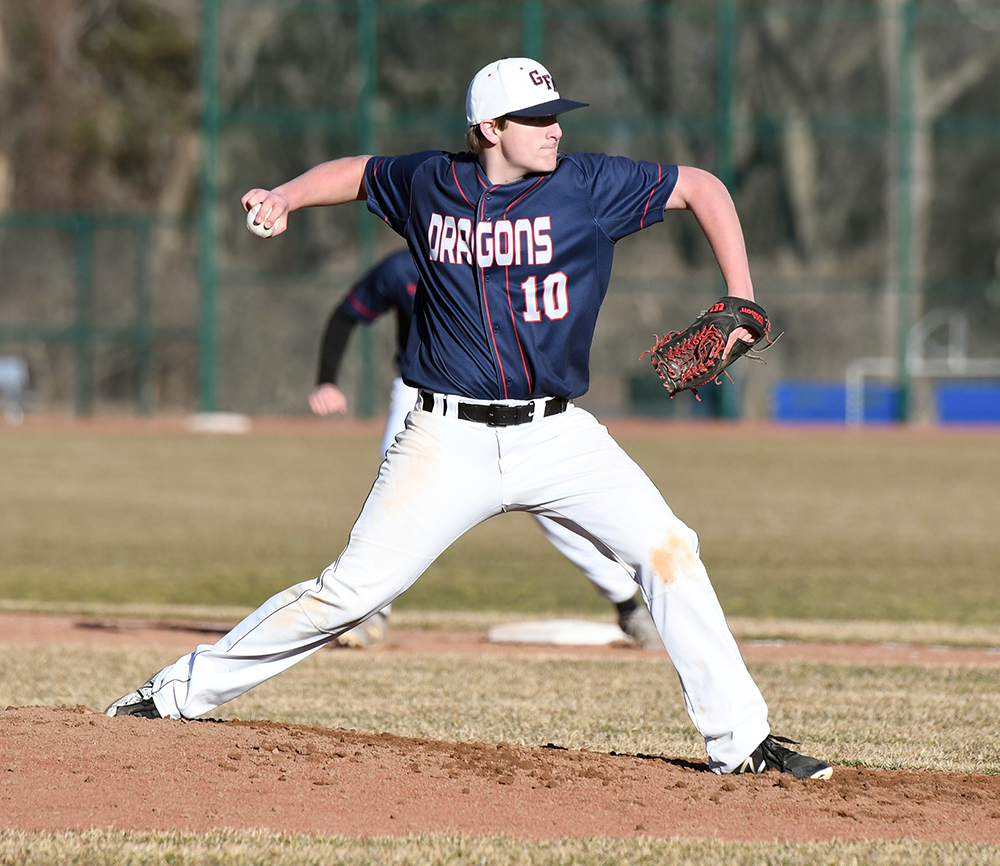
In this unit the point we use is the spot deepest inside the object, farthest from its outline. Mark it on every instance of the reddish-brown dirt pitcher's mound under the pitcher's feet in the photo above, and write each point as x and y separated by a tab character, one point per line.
71	768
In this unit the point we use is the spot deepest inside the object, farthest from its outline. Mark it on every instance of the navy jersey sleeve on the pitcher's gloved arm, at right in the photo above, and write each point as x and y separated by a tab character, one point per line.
626	194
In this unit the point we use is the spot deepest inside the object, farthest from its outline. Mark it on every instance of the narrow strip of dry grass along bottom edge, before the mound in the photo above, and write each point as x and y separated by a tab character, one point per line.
216	849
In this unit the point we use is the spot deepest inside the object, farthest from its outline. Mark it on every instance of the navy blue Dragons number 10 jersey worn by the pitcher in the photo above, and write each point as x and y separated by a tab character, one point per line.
512	276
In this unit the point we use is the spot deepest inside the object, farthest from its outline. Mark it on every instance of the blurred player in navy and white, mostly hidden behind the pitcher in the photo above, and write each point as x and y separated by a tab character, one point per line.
392	285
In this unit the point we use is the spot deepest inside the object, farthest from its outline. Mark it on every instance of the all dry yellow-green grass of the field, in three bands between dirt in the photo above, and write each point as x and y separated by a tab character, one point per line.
811	534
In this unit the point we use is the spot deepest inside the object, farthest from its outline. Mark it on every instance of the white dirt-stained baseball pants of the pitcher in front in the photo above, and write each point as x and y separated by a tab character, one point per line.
444	476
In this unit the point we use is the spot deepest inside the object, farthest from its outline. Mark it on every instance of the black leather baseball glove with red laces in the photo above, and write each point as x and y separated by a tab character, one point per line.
687	359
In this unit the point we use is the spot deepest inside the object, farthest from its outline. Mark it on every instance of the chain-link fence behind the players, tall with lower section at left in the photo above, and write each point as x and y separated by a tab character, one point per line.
859	139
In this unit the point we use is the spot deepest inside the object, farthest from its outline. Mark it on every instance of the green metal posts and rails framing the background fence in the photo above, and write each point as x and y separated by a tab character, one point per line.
369	126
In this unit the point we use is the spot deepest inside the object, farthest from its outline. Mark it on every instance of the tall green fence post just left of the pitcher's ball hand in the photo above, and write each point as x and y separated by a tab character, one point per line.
207	267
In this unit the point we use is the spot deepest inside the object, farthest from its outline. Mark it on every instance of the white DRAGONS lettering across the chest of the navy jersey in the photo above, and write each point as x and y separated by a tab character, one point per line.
502	242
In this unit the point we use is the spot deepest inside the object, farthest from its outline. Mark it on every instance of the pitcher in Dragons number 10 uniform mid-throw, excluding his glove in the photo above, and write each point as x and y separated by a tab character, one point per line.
513	243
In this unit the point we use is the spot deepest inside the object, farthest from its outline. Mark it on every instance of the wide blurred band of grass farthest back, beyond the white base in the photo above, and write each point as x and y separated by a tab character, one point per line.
810	525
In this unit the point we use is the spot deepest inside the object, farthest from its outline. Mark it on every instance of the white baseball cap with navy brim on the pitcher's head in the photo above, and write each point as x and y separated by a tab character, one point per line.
517	87
